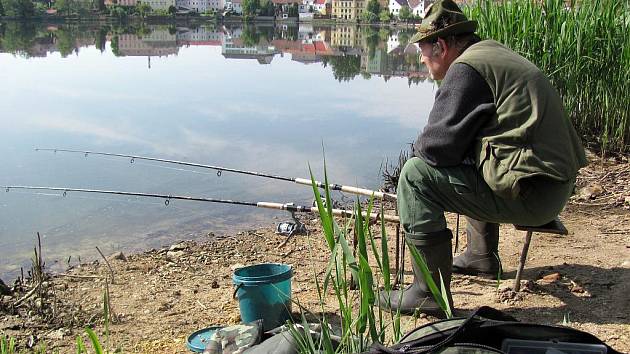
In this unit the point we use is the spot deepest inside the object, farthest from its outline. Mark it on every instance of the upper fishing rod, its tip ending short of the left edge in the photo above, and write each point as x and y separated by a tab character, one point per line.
220	169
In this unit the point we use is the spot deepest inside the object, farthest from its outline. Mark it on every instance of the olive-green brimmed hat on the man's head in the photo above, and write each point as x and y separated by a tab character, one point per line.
442	19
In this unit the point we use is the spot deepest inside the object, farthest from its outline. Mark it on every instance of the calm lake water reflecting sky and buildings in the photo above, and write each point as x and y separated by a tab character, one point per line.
257	98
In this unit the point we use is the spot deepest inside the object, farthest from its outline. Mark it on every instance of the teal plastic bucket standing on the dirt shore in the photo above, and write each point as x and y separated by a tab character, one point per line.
264	292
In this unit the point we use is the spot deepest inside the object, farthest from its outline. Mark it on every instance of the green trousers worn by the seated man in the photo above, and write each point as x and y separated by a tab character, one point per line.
426	192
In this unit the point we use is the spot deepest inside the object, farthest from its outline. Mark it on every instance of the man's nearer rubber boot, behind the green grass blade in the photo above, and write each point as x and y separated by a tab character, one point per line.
436	250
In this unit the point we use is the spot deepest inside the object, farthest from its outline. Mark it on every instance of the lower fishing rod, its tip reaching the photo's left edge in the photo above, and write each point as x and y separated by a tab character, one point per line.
167	198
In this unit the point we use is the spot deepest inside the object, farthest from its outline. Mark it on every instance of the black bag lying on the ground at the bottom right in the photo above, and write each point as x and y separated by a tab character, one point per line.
489	331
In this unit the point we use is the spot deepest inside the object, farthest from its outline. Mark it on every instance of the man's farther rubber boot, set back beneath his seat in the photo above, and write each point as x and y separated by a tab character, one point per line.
482	251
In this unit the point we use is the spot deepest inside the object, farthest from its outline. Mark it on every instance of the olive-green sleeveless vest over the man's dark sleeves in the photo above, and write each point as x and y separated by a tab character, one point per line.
530	134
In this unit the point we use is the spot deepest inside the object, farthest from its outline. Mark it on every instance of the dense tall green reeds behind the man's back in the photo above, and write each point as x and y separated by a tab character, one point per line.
583	46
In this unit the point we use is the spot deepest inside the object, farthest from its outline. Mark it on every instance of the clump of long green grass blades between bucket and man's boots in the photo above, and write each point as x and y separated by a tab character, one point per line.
361	321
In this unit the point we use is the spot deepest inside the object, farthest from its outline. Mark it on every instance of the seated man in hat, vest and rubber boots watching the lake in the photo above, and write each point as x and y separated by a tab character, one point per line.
498	148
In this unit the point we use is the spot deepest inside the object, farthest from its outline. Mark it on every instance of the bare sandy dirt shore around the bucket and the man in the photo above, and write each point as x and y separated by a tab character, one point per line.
161	296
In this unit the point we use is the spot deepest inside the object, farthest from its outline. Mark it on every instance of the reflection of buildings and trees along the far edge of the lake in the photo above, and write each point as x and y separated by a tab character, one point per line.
349	50
